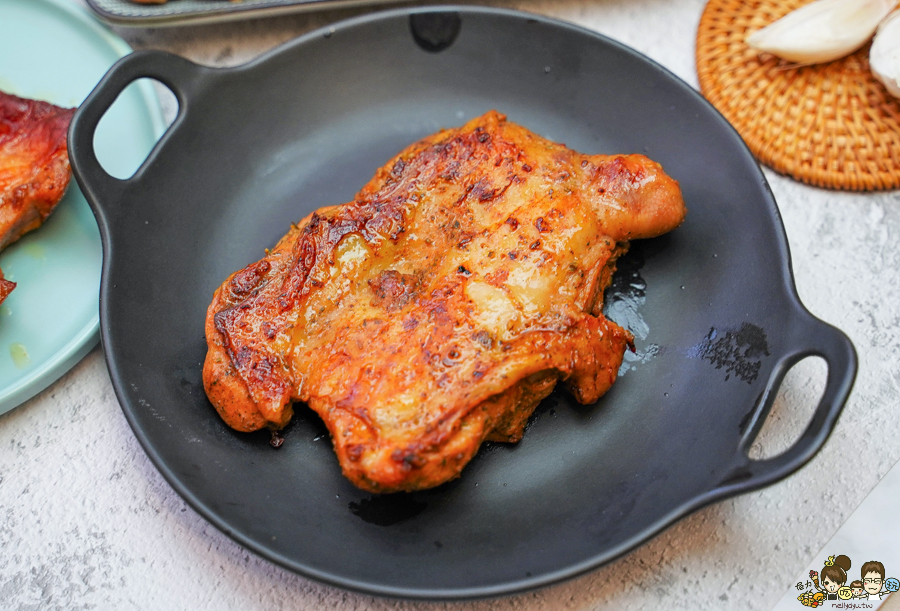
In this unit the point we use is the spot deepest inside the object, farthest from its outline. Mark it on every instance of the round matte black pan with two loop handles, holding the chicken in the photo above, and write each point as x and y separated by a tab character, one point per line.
257	147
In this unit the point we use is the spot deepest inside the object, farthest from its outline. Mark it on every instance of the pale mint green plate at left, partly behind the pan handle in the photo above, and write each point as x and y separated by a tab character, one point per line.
55	51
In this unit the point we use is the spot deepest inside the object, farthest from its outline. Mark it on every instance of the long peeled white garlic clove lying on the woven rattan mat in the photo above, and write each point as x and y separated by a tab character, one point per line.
823	30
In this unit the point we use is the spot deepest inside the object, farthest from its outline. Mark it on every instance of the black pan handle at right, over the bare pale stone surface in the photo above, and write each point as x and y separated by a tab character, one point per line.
818	339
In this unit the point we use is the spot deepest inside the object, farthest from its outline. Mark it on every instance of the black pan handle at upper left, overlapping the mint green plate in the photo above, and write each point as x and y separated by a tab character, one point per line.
177	73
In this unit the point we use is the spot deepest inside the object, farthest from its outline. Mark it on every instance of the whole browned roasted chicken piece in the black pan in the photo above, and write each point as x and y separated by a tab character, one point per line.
437	309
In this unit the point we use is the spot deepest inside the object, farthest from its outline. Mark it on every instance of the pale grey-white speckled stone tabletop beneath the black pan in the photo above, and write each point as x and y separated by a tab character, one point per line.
86	521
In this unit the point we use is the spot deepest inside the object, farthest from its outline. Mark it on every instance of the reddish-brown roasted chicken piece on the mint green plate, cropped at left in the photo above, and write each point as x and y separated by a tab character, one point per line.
34	164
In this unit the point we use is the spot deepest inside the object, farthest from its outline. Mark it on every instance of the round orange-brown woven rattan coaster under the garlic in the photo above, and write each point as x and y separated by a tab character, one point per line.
830	125
